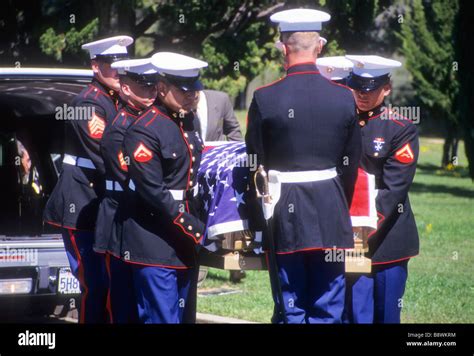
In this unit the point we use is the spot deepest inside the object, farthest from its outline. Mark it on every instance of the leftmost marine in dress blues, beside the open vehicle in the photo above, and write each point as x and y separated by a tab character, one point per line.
74	201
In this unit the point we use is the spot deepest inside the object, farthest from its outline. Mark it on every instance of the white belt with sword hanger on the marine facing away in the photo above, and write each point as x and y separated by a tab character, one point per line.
276	178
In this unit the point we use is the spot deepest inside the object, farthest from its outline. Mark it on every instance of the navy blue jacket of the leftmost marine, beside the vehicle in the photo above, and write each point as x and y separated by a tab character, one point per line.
75	199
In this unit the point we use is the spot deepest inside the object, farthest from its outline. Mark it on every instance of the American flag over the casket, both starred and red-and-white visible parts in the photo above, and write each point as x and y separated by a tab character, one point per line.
222	179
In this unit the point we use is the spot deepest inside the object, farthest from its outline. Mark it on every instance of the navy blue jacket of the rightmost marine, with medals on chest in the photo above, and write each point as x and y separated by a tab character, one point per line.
390	151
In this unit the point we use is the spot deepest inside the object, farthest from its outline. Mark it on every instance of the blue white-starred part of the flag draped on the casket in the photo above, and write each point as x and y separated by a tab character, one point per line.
222	179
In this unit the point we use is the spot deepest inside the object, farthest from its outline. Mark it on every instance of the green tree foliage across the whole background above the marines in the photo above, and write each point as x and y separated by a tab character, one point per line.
237	38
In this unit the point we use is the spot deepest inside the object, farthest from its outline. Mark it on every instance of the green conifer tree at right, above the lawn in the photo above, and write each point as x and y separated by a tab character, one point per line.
427	36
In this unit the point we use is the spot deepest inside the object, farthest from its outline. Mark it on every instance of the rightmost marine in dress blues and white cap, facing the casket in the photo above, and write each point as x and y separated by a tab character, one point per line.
390	151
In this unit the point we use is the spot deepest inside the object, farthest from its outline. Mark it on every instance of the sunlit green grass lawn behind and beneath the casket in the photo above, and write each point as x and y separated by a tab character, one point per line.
440	287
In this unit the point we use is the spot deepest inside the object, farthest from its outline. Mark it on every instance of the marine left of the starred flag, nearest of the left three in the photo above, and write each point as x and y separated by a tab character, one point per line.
161	230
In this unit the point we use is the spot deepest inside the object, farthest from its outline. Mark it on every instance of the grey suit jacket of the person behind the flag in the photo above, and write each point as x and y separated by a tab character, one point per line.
221	120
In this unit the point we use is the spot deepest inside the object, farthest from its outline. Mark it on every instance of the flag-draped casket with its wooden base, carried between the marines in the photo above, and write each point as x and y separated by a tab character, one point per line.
228	243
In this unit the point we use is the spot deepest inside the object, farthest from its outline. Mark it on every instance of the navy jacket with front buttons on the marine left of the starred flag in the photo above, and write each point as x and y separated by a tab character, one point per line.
164	150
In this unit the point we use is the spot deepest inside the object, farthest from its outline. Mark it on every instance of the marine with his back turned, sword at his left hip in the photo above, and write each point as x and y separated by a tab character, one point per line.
304	128
